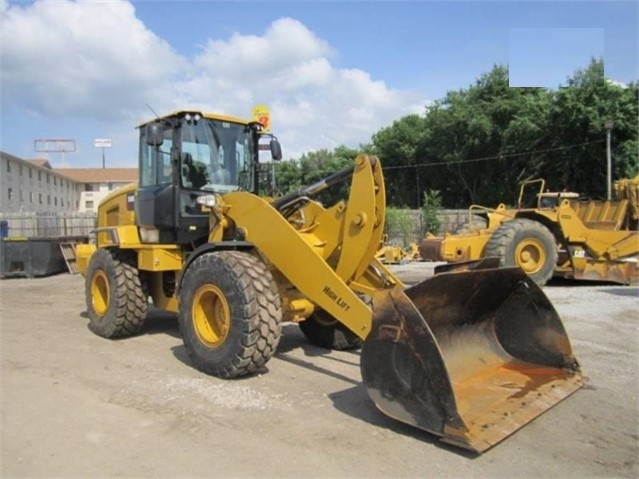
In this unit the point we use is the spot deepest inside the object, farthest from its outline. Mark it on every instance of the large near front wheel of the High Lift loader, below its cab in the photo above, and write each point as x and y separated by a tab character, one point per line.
230	314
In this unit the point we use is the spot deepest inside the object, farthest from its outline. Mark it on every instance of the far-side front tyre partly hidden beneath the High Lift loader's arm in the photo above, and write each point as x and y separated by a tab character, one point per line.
325	331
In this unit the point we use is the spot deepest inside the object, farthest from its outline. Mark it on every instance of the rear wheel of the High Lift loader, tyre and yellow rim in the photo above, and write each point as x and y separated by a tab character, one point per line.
116	302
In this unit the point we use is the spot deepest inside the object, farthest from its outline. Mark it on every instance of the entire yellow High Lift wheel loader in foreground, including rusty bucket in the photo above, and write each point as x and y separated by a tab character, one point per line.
470	355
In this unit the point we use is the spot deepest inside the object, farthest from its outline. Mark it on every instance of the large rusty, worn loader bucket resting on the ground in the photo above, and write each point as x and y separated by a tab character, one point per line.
471	356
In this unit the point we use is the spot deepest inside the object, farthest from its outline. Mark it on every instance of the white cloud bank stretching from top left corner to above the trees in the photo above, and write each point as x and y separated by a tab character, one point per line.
96	60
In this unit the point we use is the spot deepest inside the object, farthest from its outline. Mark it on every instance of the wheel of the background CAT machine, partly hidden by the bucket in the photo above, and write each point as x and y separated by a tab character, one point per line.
527	244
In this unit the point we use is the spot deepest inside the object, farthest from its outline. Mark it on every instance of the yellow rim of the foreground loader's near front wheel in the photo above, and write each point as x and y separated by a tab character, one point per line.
211	316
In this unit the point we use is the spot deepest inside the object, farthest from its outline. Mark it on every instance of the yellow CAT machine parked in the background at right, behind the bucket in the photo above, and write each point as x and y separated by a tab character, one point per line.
561	235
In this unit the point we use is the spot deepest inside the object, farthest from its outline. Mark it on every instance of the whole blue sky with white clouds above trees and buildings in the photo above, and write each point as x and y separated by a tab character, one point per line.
331	72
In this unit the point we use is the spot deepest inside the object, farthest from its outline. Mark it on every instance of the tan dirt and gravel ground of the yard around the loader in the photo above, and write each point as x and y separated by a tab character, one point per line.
76	405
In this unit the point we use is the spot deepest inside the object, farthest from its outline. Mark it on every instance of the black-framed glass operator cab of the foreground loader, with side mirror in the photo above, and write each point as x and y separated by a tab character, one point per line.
188	154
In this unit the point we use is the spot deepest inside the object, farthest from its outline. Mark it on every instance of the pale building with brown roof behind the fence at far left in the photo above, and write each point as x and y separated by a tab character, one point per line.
33	186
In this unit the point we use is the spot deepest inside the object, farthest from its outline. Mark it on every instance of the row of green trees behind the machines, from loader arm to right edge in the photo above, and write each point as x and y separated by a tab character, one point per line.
476	145
